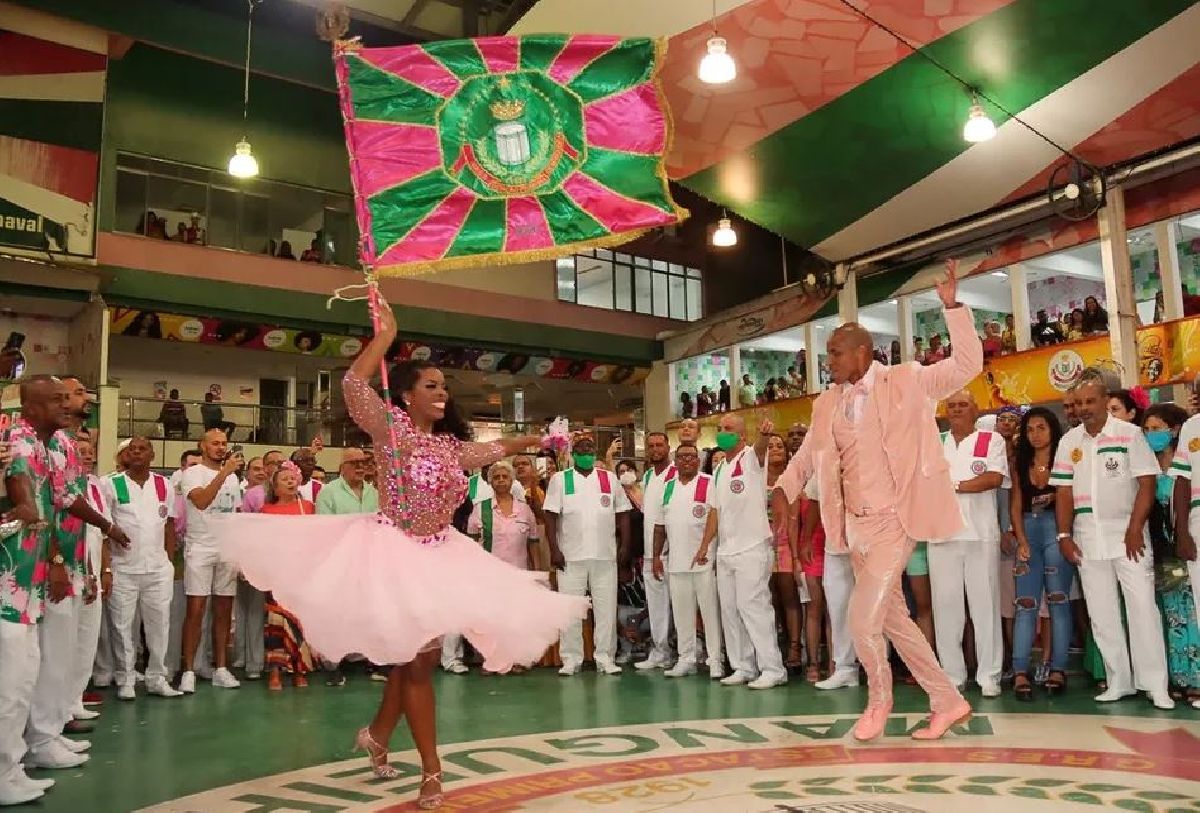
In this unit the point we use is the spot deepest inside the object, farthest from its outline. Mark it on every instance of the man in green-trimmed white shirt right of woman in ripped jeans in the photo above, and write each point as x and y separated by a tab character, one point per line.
1106	475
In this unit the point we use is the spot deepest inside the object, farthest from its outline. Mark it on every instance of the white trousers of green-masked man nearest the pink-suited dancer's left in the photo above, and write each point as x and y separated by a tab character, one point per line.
748	618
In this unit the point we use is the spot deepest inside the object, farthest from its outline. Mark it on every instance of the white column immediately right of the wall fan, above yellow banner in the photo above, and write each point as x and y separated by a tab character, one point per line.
1119	286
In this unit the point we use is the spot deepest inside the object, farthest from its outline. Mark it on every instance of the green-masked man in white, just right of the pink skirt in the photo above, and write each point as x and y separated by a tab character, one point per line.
587	513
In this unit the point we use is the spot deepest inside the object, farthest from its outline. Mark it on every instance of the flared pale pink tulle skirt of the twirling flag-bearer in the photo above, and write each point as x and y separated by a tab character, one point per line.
362	587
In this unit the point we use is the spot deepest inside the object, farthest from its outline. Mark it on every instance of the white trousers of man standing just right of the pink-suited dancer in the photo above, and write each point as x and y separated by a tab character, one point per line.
961	575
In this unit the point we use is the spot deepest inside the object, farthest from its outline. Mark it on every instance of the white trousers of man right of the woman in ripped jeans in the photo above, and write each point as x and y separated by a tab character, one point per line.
1101	579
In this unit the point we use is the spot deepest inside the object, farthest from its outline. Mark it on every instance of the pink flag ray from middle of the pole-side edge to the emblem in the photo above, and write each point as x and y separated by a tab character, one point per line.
389	154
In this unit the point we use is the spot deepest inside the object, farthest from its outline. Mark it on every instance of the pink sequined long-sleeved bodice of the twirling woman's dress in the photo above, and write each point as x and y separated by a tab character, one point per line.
422	480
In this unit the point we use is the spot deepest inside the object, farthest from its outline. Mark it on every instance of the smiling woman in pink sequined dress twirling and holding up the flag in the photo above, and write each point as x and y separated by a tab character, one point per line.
391	586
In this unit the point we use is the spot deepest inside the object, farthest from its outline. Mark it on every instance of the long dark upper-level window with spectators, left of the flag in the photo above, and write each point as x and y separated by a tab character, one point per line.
203	207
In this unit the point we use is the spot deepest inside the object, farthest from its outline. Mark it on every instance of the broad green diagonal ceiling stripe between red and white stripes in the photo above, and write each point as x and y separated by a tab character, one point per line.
838	164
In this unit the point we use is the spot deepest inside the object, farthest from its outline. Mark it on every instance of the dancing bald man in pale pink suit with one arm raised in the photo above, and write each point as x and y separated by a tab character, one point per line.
884	483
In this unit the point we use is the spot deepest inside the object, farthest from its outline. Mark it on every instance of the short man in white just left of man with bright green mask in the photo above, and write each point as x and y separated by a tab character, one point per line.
680	517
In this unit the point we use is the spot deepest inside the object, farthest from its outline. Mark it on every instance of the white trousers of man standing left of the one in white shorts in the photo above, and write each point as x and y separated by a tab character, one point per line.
149	597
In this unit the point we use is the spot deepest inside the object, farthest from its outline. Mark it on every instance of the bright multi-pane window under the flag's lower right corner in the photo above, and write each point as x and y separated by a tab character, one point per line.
608	280
